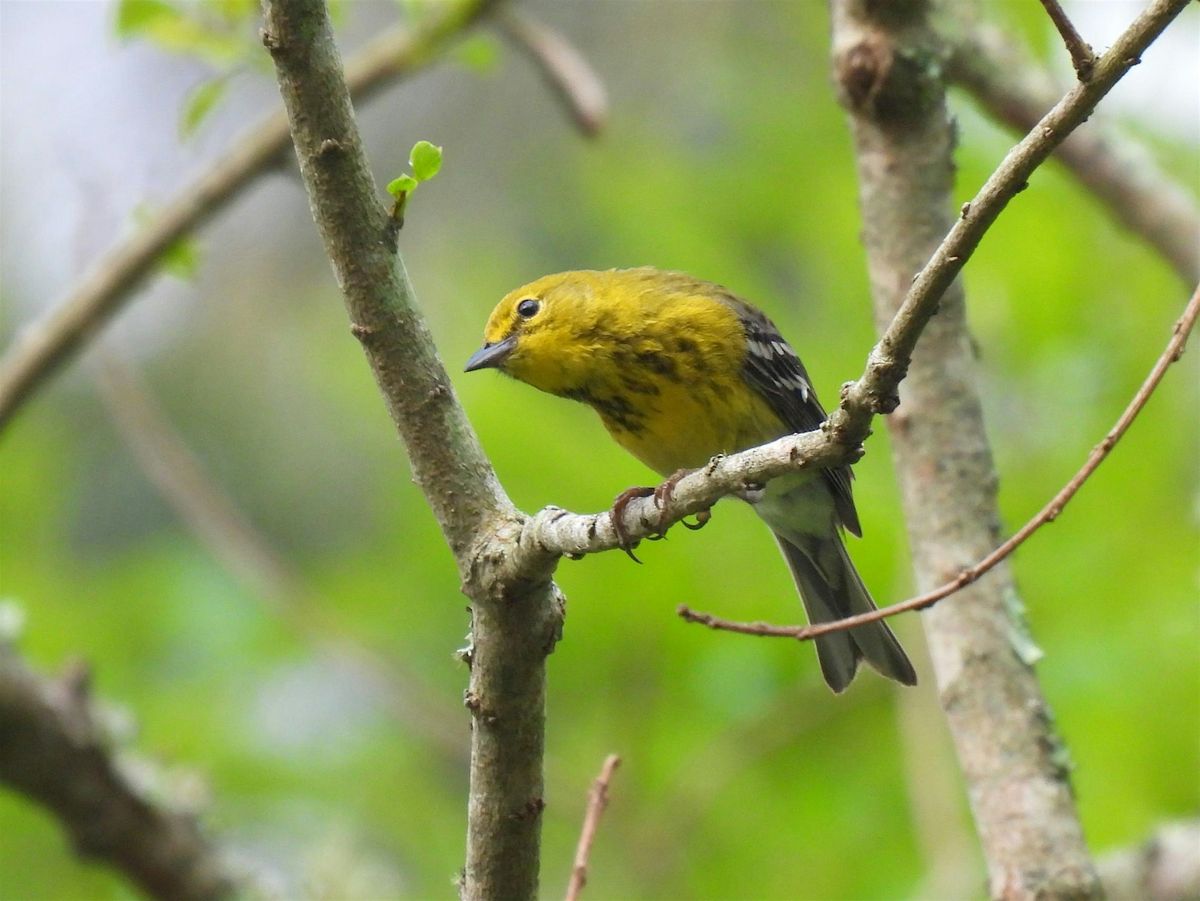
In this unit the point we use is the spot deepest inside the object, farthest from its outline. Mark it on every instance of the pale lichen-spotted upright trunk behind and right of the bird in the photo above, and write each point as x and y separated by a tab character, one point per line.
887	69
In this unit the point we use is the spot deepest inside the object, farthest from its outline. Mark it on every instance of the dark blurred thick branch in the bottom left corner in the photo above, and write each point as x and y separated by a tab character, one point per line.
55	753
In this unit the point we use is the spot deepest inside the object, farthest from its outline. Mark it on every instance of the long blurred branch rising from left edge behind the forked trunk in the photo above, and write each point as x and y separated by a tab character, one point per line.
47	344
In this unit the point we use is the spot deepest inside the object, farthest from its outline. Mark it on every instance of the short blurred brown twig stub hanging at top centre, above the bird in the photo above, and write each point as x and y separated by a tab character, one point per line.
568	73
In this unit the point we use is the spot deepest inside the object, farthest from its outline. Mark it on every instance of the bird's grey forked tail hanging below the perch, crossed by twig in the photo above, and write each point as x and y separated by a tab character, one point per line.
832	590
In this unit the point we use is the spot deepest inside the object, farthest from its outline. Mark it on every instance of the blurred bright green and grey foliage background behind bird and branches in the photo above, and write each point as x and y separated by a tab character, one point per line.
727	157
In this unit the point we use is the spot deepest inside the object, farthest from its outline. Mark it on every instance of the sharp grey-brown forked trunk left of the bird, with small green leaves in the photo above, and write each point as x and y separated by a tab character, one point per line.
515	622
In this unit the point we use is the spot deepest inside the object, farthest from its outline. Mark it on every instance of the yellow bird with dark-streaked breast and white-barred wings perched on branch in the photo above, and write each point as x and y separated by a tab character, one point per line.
681	370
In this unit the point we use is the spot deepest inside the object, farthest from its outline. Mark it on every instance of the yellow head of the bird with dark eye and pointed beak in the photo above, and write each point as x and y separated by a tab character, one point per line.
554	333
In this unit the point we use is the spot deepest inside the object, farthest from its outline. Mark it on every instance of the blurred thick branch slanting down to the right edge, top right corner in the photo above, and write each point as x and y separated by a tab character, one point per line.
1017	91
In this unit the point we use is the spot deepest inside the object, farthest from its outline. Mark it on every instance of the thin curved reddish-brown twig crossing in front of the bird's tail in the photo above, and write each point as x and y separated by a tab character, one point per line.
1048	514
